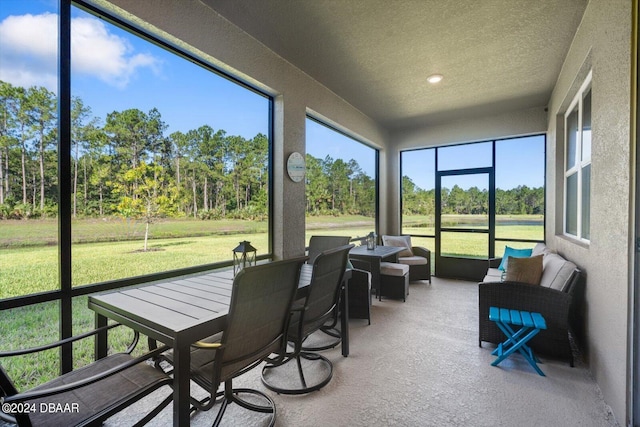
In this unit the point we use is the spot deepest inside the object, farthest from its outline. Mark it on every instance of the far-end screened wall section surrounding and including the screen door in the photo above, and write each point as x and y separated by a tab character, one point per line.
518	164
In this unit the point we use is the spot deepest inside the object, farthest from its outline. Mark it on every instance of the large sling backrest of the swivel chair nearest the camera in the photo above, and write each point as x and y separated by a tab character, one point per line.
258	316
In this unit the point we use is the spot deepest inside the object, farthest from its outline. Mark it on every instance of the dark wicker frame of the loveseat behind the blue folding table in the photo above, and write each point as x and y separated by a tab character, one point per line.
561	310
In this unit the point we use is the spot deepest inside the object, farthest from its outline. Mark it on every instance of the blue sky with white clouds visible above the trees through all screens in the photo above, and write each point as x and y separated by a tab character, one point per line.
113	70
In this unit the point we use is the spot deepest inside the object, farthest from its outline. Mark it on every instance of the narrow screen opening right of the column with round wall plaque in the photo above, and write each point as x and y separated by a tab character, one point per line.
341	190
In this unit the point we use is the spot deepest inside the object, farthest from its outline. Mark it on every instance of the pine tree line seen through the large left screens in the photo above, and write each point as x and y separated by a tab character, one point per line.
126	164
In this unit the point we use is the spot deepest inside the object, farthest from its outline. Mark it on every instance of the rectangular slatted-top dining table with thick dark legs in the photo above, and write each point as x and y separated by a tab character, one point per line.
179	312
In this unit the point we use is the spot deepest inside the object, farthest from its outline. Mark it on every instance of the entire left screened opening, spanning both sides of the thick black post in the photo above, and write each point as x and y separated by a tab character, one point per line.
169	167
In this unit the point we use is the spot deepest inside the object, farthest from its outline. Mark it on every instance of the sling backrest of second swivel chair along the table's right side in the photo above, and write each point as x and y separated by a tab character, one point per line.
324	290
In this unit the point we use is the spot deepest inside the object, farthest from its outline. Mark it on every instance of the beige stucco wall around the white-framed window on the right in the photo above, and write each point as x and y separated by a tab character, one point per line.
602	44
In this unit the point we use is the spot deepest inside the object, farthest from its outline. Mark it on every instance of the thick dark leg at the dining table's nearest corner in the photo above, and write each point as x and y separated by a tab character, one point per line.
181	384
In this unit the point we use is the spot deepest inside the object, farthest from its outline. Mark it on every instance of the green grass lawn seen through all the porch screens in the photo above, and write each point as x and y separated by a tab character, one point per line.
111	249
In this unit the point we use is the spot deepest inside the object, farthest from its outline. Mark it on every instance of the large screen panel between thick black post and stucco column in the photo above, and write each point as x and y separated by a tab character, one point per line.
169	159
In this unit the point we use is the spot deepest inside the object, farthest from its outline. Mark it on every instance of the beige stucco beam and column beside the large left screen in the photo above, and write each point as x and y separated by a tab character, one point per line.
196	28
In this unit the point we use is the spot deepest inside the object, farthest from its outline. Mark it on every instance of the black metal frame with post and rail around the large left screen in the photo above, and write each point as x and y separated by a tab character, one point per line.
67	291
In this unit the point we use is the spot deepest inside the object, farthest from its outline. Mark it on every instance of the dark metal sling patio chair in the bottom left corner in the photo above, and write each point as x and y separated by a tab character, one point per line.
91	394
